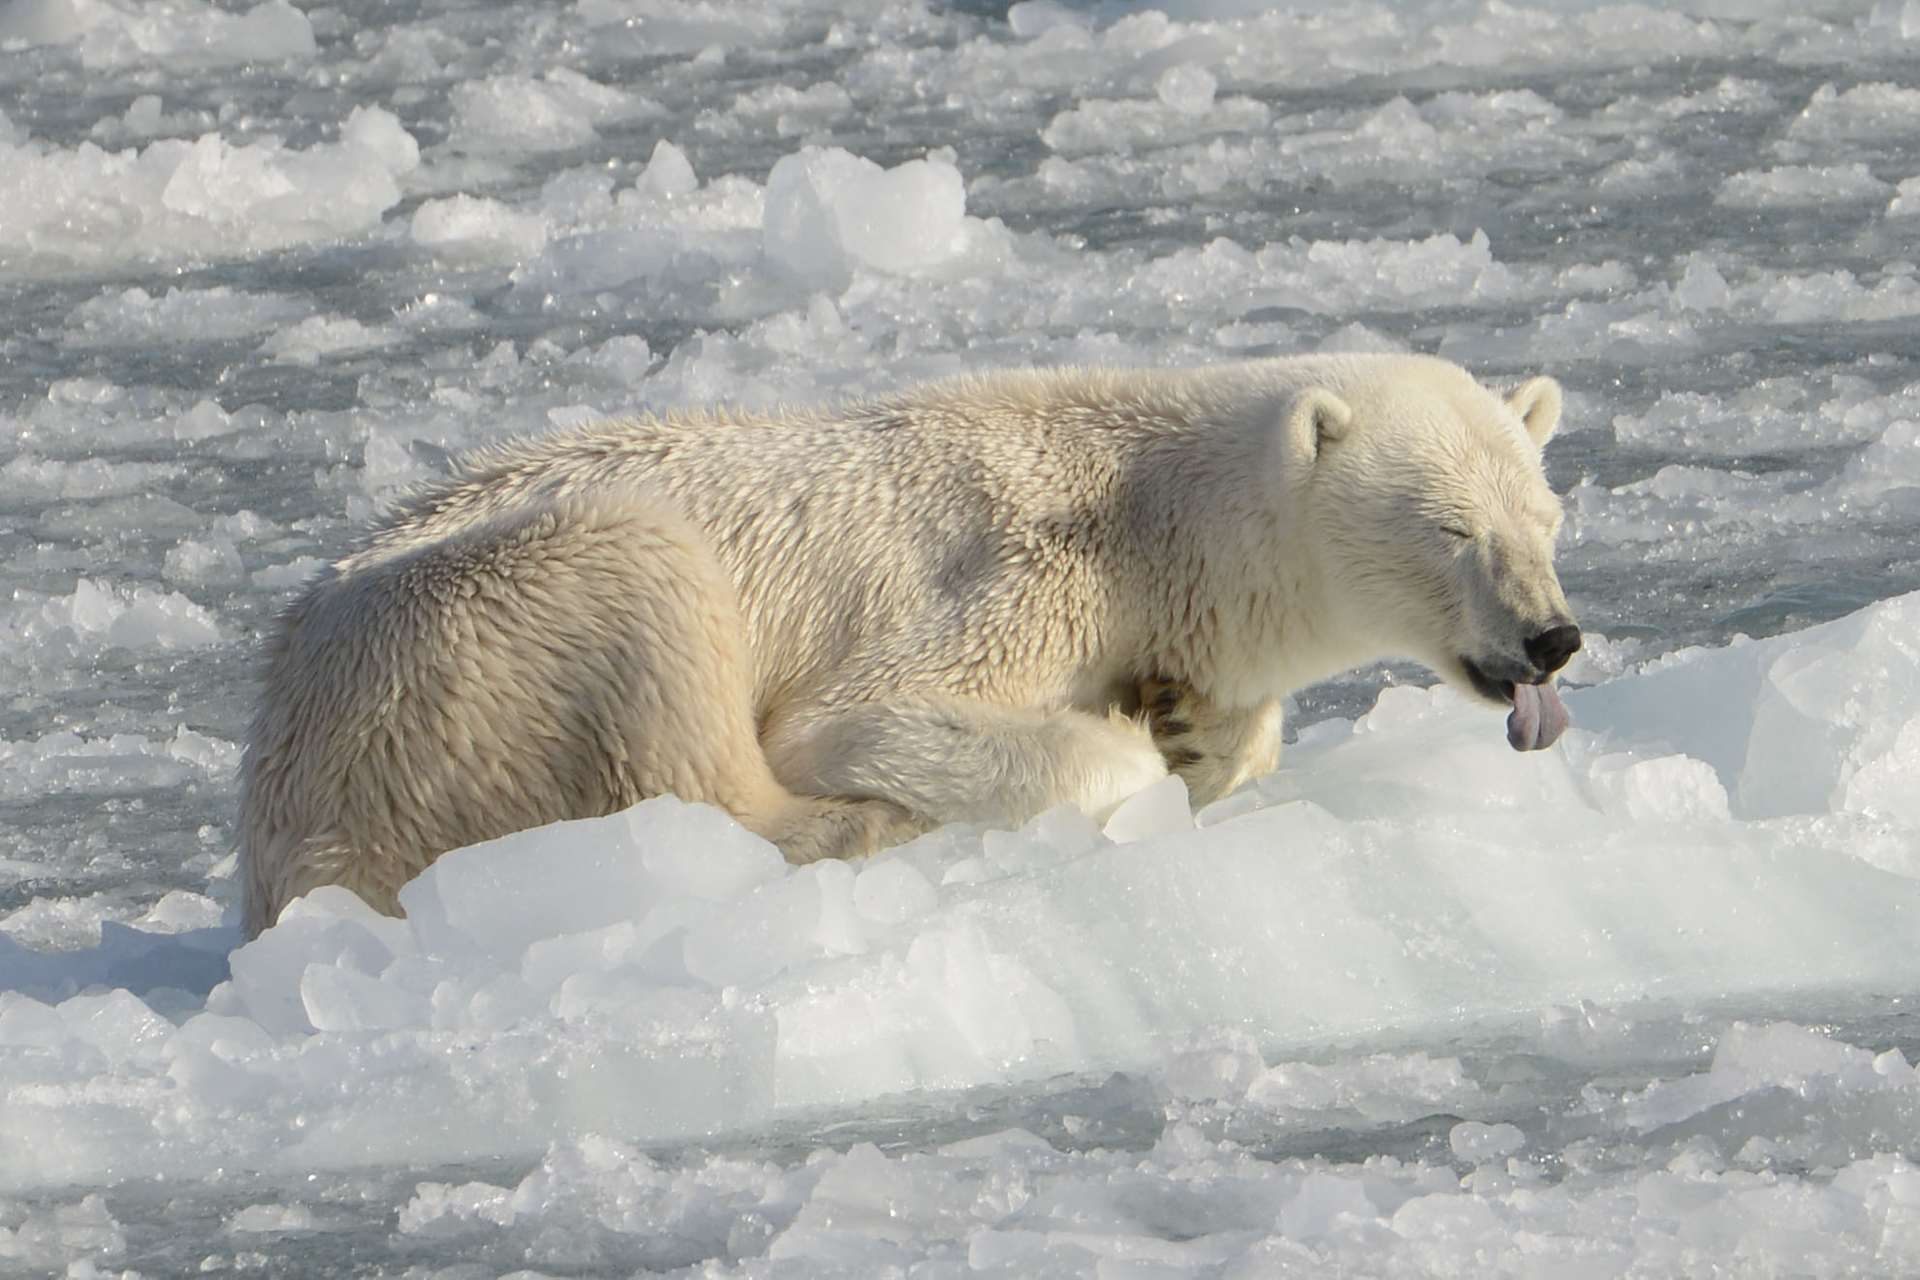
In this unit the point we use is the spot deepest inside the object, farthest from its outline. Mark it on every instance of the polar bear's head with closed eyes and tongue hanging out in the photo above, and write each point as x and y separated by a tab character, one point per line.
1435	527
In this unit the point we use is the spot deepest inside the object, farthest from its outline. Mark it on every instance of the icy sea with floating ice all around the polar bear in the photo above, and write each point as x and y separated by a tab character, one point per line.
1412	1007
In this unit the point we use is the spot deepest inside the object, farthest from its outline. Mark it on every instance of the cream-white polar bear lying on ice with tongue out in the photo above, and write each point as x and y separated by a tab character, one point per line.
967	602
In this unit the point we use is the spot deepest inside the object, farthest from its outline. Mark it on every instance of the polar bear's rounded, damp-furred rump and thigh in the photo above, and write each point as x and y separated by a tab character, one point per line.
552	663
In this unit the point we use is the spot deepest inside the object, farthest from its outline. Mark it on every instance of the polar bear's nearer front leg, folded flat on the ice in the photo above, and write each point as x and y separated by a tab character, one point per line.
965	761
